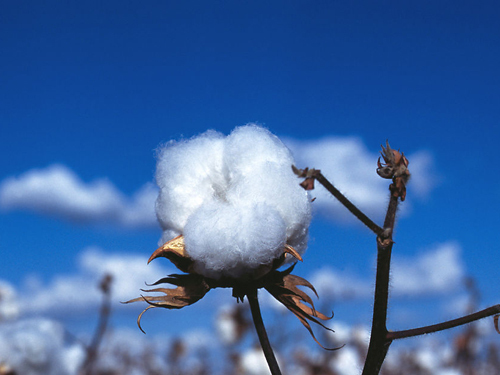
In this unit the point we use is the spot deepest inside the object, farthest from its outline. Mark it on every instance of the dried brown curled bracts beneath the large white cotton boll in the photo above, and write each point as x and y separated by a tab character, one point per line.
191	287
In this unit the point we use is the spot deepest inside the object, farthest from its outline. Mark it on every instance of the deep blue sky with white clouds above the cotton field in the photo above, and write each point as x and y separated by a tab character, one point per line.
89	91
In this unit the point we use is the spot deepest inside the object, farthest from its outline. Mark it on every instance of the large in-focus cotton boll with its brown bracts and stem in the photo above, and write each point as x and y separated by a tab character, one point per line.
232	213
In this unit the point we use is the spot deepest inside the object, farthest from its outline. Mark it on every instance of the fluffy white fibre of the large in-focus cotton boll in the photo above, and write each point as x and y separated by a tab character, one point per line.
235	199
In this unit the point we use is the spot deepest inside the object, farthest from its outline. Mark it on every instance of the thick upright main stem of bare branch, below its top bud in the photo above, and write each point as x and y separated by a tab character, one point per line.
379	341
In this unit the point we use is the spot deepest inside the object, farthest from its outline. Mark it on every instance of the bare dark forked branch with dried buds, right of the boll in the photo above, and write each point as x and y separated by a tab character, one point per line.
392	165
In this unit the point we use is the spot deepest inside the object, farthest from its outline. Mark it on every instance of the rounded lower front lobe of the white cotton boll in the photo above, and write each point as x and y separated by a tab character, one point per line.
227	240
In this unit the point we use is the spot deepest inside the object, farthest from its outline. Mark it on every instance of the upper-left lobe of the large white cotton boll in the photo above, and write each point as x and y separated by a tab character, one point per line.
188	173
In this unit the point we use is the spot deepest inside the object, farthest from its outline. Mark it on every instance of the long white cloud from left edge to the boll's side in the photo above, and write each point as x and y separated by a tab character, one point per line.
58	191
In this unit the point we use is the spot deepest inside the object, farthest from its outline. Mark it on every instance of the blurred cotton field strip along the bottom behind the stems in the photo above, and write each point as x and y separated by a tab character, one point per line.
45	347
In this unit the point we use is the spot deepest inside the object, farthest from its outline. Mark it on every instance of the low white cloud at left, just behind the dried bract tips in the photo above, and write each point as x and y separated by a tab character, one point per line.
79	292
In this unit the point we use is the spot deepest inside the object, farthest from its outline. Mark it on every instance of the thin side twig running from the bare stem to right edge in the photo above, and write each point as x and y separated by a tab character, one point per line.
396	335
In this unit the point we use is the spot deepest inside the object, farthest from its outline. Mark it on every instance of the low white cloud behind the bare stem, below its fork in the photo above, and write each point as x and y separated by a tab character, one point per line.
435	271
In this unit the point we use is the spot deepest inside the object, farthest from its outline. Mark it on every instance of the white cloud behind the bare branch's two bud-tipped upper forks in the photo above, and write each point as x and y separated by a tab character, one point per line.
350	166
